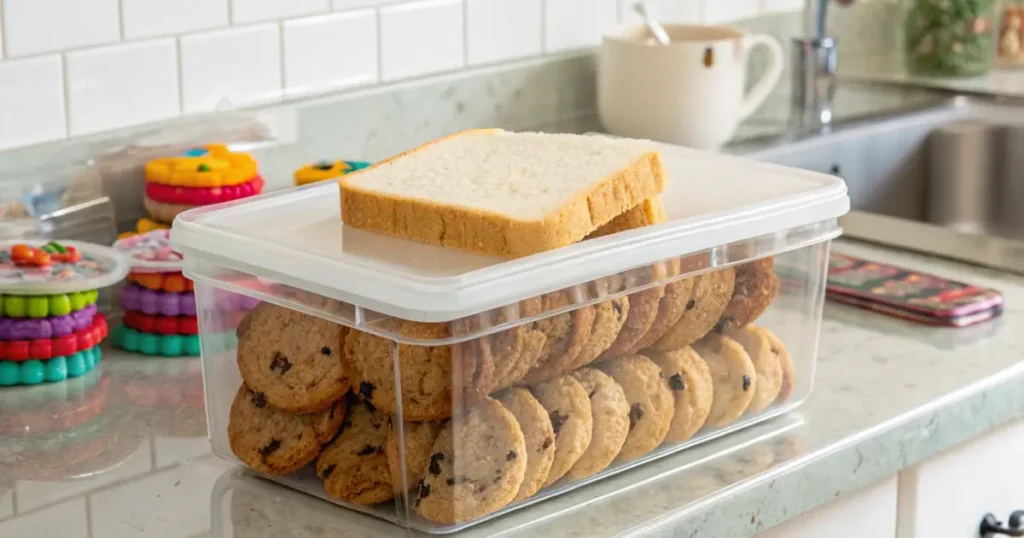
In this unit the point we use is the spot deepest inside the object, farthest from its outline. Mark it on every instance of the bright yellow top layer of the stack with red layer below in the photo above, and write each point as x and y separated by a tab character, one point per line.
212	165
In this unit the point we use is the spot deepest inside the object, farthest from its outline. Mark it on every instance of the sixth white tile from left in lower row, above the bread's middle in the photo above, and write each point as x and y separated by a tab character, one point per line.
499	30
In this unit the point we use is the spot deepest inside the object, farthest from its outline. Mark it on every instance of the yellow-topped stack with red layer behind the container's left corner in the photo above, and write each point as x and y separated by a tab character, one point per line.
205	176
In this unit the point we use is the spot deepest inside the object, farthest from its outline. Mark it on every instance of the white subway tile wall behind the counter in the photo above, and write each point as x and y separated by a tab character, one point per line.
70	68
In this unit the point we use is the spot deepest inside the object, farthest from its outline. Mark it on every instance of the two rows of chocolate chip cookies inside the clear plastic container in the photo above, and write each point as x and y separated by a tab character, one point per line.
561	399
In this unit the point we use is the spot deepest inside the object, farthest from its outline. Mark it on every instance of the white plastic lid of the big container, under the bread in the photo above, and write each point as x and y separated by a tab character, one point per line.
296	238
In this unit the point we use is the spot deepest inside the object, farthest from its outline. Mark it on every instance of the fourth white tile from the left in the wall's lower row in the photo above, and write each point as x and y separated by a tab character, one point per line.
331	52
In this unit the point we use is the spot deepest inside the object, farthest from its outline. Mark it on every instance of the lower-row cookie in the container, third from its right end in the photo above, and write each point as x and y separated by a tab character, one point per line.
734	377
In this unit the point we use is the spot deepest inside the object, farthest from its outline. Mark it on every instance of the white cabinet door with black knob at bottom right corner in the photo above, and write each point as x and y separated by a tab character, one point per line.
947	496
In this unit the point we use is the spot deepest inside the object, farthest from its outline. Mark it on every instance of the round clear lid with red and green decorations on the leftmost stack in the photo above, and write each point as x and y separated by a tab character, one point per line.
81	267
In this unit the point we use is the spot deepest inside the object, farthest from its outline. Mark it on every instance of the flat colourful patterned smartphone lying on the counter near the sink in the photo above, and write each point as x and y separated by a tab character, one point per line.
910	295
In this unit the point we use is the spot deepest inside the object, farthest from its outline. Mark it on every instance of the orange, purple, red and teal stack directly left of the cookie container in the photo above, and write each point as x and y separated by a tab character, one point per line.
158	302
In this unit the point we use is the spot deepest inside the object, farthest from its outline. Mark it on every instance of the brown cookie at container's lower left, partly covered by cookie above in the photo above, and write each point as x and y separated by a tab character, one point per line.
276	442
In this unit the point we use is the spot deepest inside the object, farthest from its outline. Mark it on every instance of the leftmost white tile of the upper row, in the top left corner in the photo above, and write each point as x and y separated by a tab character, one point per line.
45	26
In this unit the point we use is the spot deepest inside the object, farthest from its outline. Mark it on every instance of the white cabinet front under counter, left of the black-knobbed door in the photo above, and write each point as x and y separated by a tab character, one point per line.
870	513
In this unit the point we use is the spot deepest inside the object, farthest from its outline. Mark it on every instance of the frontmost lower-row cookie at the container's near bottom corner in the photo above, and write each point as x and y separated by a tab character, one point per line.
481	457
